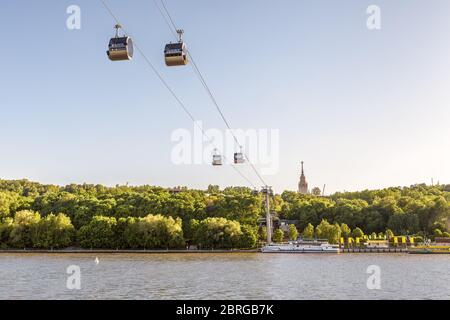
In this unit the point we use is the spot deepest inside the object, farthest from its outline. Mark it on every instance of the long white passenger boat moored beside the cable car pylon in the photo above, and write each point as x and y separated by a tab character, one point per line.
304	246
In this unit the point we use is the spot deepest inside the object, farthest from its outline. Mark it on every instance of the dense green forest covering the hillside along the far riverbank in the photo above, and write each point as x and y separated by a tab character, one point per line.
34	215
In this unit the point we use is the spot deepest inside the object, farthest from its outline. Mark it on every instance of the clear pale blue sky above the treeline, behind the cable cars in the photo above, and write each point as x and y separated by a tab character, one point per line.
363	109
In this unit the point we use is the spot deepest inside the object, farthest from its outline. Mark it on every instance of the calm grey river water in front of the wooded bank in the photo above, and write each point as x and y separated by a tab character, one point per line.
225	276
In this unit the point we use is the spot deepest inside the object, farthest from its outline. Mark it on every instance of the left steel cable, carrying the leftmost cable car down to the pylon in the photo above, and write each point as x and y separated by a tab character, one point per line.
169	88
